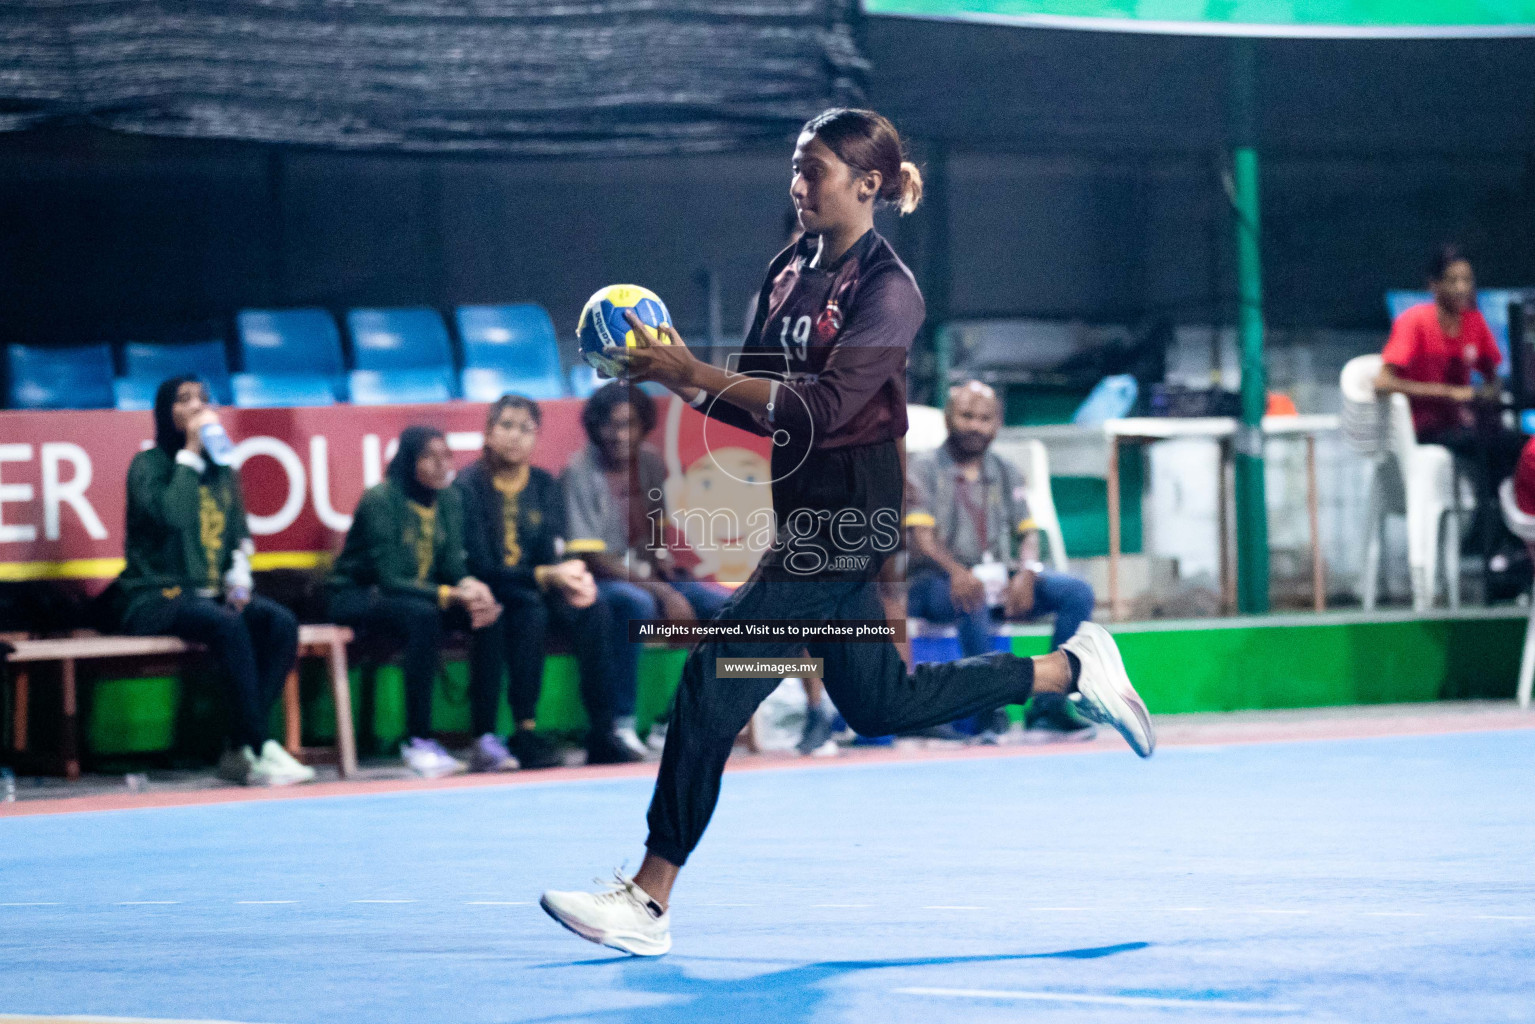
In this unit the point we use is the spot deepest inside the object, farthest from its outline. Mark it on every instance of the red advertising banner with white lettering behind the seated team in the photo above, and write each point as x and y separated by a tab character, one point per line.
62	478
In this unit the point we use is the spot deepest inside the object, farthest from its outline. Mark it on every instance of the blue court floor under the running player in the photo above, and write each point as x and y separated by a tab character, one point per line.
1352	880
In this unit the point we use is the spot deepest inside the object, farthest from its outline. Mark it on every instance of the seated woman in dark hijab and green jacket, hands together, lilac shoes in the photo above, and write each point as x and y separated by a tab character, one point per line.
401	575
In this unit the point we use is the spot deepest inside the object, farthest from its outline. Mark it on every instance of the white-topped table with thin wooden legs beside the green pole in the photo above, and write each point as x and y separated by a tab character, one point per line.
1224	432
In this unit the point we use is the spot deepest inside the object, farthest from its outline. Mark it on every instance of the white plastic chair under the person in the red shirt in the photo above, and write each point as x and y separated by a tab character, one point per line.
1407	480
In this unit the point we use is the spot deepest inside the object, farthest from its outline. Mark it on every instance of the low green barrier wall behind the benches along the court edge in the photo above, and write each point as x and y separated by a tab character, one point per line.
1224	666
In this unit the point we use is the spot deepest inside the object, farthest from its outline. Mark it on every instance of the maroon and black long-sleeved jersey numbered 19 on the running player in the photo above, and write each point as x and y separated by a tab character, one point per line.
836	342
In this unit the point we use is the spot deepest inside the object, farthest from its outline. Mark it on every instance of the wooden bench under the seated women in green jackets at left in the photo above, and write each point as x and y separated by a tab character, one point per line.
314	641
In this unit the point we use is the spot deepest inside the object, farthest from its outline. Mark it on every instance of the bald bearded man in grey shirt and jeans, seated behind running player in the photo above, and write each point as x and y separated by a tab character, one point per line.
966	509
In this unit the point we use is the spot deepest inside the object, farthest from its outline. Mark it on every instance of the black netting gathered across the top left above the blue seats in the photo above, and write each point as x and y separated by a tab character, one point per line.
434	76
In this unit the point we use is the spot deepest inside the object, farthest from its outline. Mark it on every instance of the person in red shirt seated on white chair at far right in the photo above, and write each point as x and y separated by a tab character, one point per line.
1430	358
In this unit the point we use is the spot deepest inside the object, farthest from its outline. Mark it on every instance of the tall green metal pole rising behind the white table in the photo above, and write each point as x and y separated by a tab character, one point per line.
1252	506
